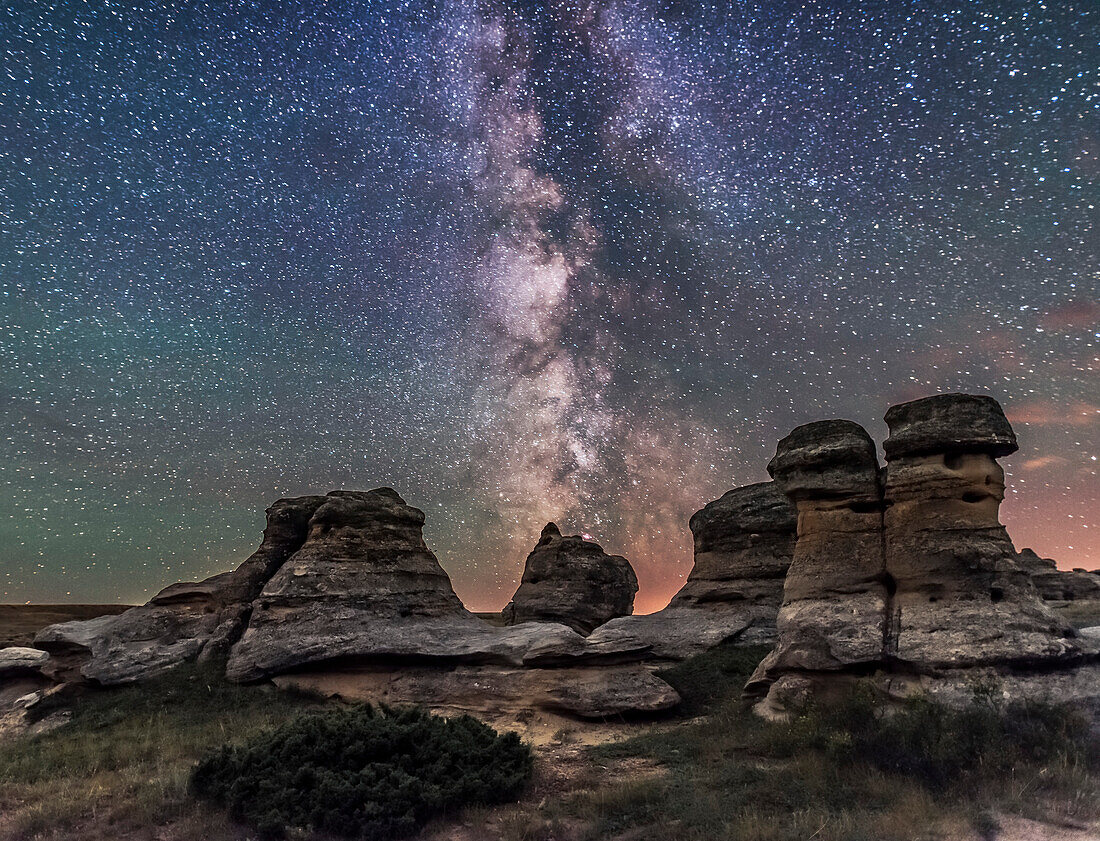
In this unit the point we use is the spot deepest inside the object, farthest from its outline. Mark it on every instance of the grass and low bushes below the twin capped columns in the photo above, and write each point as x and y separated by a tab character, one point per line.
852	772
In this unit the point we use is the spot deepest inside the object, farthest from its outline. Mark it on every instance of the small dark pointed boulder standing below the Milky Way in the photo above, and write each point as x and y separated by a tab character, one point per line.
574	582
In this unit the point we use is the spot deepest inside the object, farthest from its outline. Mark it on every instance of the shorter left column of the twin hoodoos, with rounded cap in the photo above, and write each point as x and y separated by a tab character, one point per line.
835	595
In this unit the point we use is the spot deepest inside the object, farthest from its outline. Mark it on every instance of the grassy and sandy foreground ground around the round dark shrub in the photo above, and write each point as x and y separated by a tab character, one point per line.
118	769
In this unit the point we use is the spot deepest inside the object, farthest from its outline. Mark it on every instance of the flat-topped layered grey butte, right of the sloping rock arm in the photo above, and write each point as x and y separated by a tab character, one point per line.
364	584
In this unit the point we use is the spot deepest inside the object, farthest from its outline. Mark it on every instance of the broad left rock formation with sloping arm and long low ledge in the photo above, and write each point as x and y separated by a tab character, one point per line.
339	581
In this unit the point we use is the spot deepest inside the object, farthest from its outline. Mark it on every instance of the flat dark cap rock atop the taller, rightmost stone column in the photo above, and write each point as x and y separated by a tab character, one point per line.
949	424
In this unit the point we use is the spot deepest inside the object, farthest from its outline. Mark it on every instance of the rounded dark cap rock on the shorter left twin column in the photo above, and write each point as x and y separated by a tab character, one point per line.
827	459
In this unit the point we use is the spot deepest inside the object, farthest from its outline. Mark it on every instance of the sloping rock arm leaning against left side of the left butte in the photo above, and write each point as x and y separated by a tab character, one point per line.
182	624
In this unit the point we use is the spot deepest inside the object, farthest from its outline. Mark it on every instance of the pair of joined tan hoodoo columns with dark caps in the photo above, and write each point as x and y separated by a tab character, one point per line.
915	582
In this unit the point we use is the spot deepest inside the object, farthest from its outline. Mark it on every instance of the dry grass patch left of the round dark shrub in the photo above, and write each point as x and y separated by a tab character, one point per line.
123	761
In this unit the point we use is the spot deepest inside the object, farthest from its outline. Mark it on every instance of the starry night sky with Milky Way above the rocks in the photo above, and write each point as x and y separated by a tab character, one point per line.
524	261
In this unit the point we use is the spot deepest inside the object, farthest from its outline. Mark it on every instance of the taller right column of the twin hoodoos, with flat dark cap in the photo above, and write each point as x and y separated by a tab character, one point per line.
963	600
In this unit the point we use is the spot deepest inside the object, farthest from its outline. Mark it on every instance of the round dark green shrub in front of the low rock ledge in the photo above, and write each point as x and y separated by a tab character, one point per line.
362	772
